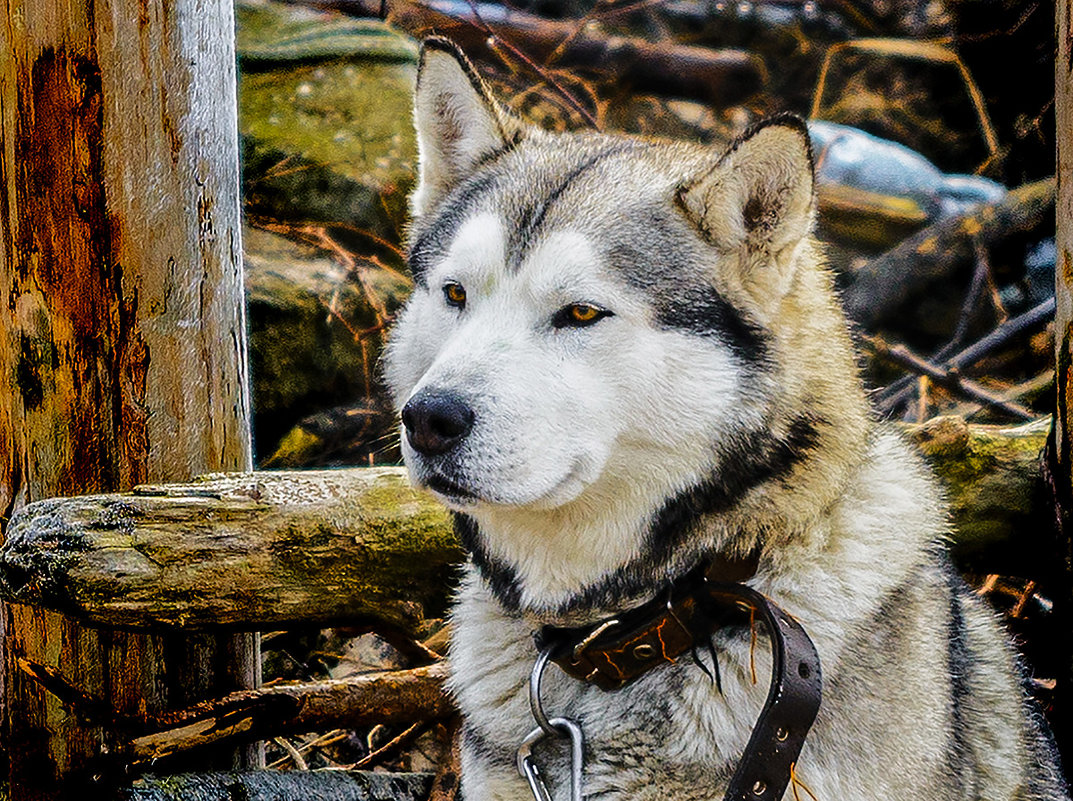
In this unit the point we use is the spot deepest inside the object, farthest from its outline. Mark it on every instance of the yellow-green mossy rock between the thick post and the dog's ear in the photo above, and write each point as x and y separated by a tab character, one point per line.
325	112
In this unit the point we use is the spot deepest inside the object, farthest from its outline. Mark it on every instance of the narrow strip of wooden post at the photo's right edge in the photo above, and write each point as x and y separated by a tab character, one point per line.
1061	450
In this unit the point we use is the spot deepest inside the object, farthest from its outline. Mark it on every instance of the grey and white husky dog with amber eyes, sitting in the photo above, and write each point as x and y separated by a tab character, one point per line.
624	358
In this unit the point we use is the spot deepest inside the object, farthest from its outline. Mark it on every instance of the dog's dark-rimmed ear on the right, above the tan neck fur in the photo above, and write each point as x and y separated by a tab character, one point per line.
760	192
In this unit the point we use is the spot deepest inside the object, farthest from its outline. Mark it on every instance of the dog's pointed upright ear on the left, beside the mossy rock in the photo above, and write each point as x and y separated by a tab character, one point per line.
460	125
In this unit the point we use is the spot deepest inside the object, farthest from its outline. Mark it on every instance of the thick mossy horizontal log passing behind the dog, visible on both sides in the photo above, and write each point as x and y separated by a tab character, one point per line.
268	550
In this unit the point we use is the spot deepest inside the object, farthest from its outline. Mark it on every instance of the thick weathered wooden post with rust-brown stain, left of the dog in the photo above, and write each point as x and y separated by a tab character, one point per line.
123	349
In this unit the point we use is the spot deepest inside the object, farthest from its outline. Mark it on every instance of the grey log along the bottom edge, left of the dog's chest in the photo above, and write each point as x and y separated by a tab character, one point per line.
271	785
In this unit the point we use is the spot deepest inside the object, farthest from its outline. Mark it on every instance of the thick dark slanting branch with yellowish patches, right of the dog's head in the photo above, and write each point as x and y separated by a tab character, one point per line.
887	283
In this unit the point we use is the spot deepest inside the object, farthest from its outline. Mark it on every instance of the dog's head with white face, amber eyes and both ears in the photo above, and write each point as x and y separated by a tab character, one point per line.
598	322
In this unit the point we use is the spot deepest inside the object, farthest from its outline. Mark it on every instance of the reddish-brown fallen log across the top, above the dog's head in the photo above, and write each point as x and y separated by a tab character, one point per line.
724	77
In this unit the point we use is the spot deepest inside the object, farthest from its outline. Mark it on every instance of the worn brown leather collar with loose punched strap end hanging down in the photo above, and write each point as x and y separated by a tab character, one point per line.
620	650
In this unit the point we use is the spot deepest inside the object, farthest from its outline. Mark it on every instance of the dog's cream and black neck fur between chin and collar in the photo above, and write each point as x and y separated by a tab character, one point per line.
572	570
